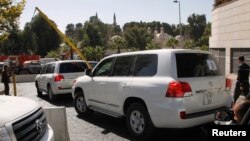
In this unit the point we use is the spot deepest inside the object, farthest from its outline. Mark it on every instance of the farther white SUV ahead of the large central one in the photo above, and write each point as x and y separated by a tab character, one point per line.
57	77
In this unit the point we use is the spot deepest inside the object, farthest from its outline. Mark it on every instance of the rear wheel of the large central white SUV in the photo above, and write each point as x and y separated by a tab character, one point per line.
138	122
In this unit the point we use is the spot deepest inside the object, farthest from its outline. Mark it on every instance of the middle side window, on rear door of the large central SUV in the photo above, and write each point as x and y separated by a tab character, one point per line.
122	65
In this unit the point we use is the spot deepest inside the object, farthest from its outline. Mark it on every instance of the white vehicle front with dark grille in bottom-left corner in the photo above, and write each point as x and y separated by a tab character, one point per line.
23	119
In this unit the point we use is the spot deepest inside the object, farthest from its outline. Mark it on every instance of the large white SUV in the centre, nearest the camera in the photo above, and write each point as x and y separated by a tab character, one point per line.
167	88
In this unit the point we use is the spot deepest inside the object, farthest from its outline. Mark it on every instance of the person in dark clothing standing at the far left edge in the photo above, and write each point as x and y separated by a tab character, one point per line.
6	80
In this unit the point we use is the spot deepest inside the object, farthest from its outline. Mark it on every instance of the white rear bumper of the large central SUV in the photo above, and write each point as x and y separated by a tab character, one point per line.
169	116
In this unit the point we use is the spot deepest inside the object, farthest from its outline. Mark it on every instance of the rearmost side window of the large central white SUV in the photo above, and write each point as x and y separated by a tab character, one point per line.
146	65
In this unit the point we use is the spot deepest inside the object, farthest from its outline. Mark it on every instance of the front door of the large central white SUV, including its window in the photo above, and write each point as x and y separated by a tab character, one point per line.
97	88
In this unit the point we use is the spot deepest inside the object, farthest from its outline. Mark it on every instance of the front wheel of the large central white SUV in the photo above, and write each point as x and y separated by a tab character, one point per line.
81	106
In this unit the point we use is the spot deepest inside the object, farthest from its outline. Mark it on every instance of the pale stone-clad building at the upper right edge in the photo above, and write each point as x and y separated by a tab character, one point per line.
230	35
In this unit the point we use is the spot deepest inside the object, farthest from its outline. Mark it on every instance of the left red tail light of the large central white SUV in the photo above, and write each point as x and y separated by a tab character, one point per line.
178	89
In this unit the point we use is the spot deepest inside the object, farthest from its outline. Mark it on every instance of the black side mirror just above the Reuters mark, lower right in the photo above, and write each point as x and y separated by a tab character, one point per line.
224	115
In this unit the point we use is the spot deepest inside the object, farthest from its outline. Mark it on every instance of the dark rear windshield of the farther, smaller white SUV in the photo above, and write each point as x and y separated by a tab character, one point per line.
72	67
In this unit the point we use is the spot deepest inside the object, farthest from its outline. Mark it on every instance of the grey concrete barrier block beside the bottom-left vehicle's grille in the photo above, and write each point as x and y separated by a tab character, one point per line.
56	117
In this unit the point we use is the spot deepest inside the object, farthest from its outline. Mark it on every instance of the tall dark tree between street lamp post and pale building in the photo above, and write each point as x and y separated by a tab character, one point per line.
197	25
